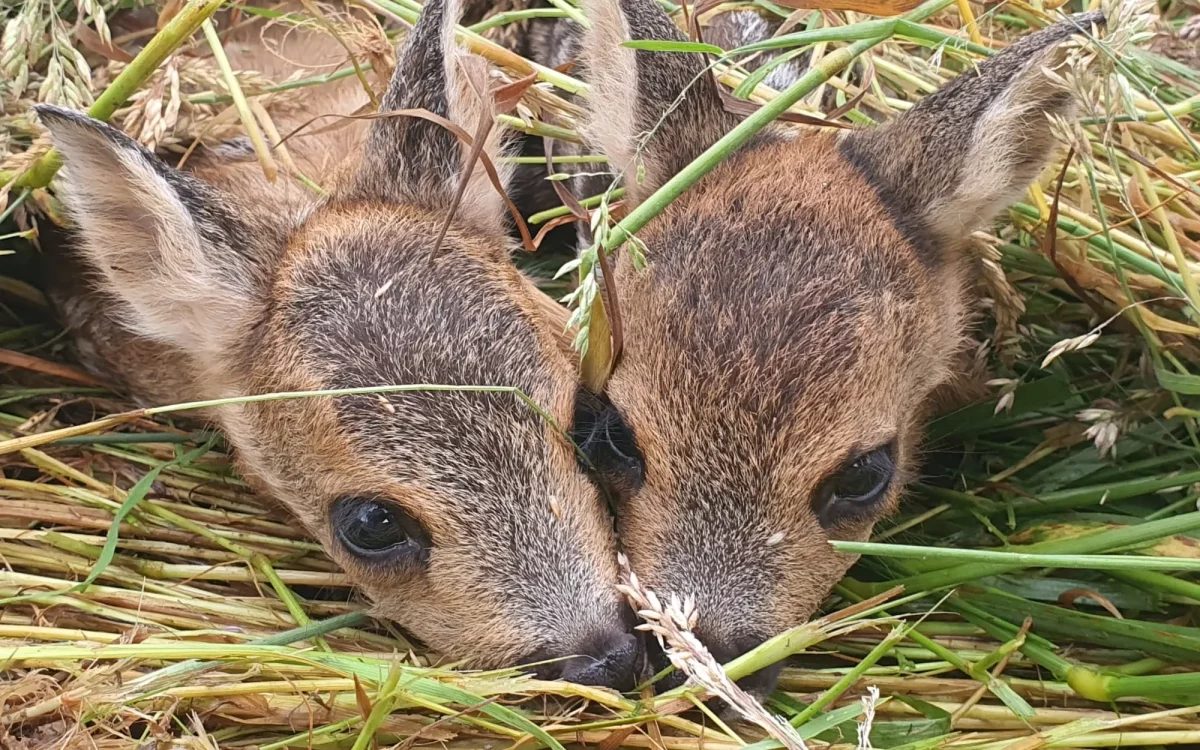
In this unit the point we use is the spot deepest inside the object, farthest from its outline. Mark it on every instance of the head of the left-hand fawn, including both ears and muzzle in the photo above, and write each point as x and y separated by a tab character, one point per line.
464	515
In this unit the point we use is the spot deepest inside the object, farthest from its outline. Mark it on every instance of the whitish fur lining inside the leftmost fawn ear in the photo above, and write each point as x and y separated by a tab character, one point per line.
146	245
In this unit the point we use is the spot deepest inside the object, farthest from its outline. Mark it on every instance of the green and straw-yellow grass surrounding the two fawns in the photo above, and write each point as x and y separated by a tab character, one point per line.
1048	555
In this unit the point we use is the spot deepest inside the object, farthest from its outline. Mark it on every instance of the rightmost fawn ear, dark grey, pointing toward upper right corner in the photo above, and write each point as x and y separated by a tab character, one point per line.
951	164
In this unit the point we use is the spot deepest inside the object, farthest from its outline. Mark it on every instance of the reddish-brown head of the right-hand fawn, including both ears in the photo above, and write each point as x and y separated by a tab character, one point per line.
801	304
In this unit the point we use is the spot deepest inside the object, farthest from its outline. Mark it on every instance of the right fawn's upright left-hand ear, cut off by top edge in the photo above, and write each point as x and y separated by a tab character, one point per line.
665	97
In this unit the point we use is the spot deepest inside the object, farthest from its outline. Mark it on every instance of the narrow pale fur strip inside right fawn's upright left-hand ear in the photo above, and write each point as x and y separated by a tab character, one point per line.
613	77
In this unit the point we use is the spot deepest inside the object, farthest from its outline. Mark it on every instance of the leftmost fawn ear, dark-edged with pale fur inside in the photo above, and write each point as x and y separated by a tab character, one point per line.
176	251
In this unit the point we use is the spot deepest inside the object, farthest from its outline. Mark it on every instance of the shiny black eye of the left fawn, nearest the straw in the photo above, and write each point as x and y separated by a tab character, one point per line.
377	530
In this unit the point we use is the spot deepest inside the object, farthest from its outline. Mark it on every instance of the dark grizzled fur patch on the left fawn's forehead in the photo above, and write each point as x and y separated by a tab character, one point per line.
357	338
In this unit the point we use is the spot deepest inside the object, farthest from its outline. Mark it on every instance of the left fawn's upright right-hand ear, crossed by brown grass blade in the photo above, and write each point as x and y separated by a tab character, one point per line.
415	161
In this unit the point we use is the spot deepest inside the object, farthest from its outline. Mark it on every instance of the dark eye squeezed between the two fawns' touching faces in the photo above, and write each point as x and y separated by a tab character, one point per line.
608	443
